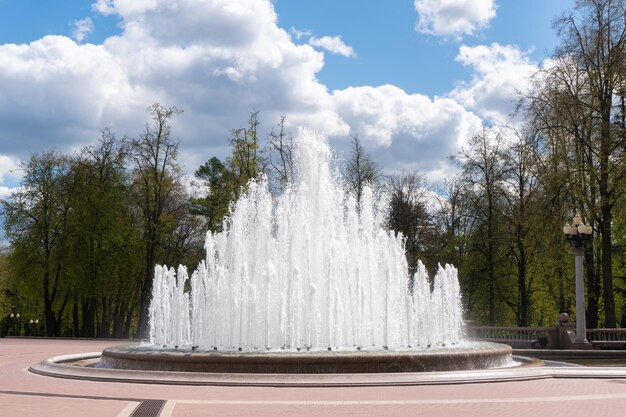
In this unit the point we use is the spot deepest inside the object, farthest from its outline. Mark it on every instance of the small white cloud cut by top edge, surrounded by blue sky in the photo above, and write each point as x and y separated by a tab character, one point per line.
453	18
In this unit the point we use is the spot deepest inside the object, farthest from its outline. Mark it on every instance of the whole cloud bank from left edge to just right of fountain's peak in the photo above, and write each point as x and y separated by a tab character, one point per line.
218	60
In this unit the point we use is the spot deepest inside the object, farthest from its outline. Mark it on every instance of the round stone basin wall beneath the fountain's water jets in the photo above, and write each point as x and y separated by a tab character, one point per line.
475	355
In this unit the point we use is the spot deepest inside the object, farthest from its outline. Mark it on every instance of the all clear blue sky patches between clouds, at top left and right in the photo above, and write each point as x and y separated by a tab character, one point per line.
382	32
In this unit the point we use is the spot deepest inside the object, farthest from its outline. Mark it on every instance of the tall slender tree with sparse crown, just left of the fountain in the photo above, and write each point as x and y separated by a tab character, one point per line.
155	178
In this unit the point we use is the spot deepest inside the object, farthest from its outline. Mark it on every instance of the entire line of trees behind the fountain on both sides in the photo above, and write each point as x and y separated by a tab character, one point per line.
86	229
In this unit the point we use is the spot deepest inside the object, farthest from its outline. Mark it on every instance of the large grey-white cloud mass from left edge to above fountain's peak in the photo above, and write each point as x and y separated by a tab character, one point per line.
218	60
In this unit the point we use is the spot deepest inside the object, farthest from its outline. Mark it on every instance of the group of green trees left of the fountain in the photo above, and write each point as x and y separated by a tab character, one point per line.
82	225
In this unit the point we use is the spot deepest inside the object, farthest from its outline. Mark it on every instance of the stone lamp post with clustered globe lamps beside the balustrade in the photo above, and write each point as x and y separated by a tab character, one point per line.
578	233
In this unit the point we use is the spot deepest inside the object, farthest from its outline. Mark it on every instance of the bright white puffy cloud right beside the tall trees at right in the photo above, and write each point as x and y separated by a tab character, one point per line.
500	73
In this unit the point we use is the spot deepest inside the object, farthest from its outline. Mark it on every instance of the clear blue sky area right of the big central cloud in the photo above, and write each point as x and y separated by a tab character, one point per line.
391	51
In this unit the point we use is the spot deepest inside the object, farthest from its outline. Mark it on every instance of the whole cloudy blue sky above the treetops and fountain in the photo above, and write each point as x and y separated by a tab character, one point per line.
412	78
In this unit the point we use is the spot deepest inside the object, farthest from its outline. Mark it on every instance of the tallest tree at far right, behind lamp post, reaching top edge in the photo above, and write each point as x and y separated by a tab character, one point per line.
579	100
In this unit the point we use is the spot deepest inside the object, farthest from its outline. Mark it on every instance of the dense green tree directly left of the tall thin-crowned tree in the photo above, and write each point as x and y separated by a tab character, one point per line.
99	236
